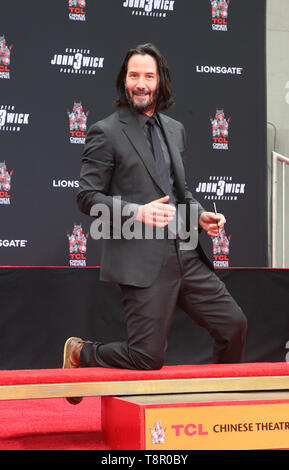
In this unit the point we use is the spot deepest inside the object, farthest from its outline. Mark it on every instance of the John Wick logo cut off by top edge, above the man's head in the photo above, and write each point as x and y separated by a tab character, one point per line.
153	8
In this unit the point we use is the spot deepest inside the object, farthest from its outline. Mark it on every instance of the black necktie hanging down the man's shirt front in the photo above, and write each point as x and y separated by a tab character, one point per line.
160	160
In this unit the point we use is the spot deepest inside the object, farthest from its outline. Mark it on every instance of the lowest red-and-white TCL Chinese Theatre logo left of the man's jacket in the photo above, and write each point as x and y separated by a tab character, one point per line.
77	246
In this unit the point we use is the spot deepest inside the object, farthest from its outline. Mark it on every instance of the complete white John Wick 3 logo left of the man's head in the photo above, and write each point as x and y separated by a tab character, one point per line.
77	61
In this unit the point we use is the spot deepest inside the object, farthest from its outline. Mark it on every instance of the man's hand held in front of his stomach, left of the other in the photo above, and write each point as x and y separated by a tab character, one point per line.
156	213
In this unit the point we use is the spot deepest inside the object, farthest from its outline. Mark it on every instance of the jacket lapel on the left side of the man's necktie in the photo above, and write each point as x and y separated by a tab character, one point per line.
137	139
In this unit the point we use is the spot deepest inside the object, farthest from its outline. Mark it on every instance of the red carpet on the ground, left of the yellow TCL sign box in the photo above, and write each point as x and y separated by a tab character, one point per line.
50	424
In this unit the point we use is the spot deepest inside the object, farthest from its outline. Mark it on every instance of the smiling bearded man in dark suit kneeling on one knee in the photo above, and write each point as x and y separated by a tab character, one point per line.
134	165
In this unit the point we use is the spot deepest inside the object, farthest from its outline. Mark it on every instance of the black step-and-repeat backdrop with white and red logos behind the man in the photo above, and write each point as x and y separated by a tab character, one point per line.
58	65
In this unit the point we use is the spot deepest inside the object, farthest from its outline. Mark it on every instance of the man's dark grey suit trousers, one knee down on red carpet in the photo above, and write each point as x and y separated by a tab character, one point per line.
185	281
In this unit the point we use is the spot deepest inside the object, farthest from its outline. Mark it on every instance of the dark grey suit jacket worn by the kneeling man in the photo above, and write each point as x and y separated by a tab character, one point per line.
117	161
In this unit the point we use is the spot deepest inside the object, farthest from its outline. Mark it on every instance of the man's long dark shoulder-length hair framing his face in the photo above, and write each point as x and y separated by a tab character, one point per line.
165	97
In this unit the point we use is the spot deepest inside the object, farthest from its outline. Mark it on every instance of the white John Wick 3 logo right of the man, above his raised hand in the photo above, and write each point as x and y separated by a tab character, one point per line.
220	188
